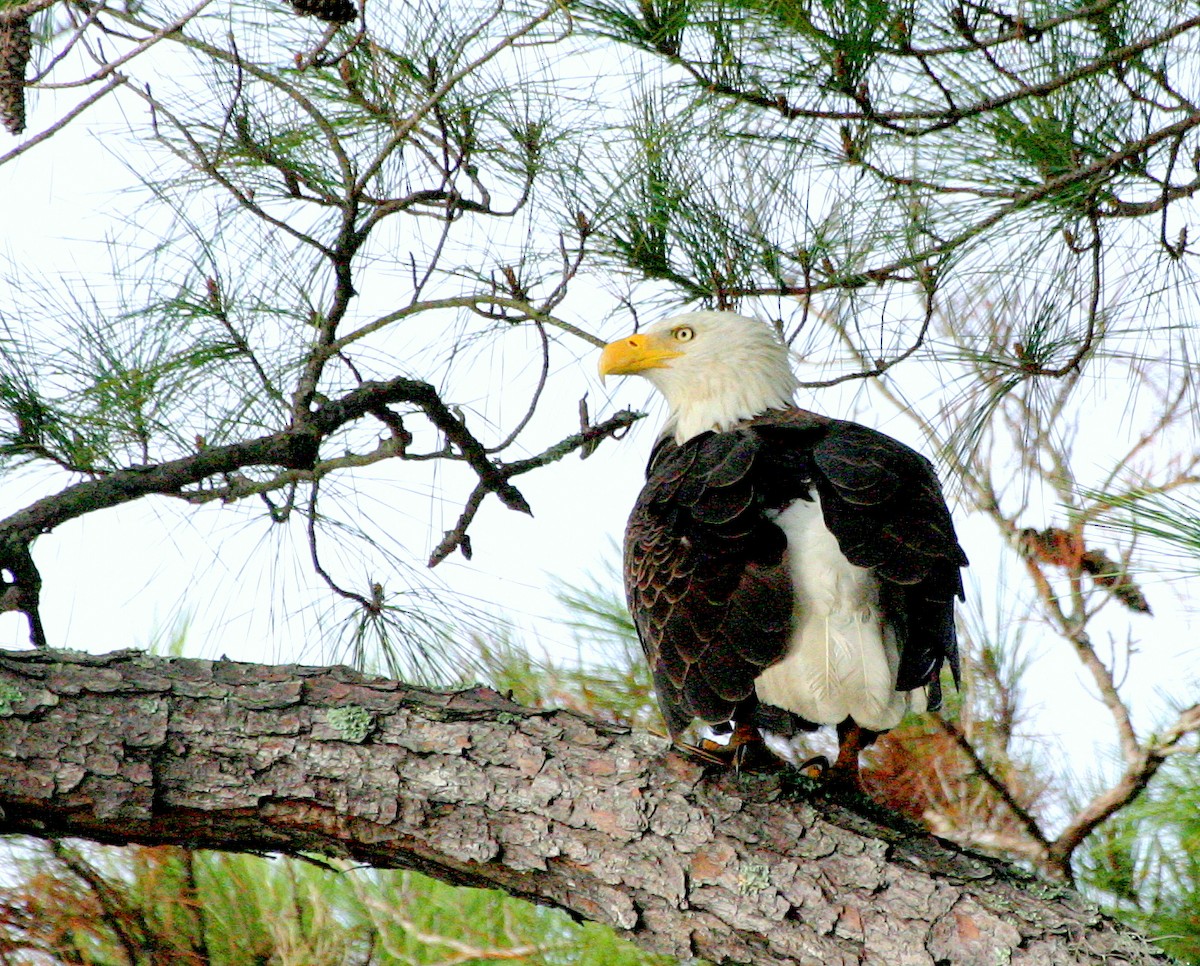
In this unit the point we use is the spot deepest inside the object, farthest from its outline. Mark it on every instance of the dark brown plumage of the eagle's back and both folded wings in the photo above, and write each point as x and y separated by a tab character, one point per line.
706	574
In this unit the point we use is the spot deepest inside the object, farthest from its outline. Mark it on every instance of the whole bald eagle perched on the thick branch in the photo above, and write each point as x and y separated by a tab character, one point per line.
784	569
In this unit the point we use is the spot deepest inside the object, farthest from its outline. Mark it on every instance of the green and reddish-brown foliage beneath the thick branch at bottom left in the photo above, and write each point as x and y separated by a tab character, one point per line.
146	907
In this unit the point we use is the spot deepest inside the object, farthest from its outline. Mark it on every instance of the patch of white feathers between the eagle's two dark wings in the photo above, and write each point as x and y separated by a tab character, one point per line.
843	659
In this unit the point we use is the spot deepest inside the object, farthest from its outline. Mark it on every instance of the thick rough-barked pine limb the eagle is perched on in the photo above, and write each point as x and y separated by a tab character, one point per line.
472	789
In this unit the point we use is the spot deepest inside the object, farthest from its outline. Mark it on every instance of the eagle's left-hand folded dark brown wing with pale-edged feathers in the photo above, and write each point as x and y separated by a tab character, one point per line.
706	577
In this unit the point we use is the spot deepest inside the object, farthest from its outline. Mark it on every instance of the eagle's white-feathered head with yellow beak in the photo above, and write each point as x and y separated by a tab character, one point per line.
715	369
